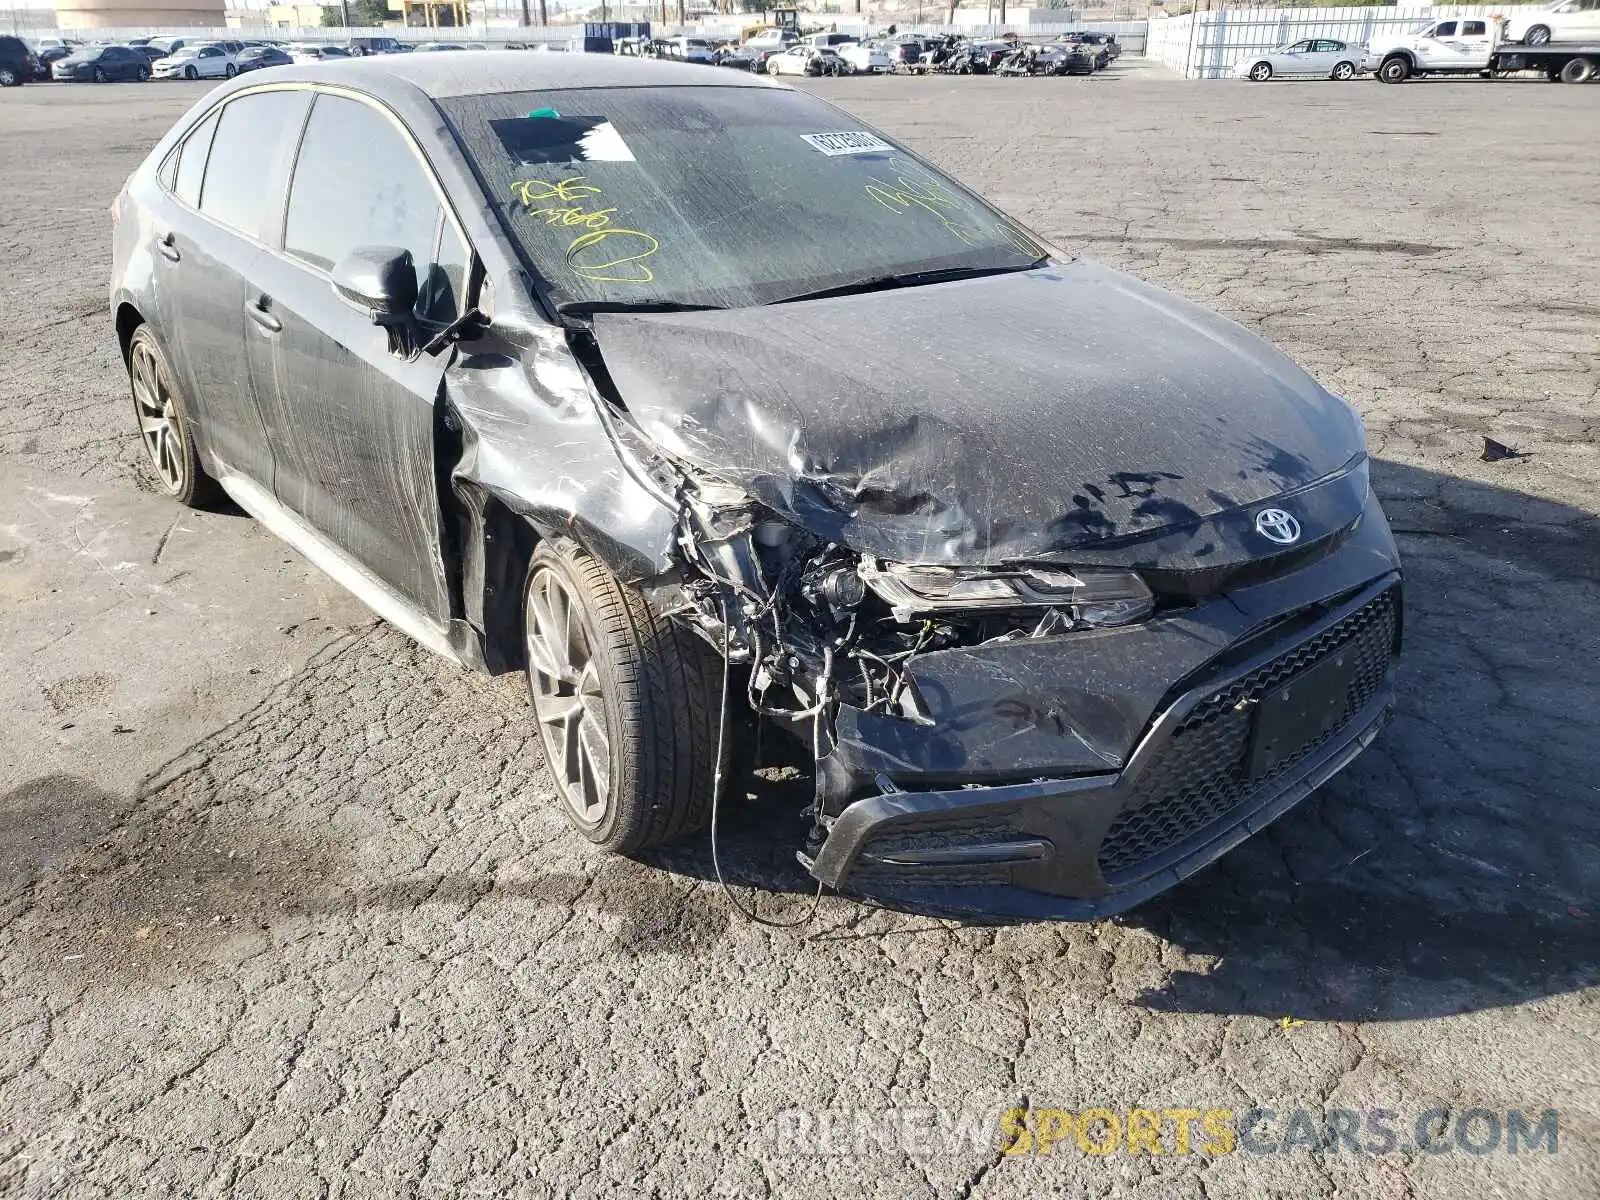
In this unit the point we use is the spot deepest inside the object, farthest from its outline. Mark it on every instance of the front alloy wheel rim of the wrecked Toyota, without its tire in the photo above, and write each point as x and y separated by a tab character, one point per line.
567	698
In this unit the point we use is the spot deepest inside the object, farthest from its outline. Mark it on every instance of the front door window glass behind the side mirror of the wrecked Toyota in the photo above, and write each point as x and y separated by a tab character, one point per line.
359	183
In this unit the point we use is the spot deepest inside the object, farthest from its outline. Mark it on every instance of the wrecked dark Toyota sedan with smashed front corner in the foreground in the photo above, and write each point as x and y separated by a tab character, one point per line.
711	409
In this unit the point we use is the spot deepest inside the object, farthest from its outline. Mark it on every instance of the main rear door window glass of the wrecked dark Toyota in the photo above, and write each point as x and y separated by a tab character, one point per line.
244	154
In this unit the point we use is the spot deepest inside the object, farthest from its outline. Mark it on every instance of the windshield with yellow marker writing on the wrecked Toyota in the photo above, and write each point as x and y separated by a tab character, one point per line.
718	196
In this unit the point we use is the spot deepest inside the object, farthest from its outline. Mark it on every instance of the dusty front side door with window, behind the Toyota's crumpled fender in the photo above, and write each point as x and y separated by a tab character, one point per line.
353	422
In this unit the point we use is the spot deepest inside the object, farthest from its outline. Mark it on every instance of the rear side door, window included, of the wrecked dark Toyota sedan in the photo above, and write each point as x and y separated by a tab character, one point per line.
222	186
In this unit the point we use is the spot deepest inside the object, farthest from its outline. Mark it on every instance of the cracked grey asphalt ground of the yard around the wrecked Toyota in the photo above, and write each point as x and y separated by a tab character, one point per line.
287	910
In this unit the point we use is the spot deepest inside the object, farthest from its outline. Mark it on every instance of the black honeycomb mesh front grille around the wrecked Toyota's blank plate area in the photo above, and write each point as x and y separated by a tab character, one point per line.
1202	772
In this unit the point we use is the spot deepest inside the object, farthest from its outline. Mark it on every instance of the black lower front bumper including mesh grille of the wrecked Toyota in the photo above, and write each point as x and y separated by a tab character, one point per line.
1194	788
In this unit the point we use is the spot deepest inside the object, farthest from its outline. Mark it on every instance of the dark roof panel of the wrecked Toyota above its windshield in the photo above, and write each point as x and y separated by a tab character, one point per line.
495	71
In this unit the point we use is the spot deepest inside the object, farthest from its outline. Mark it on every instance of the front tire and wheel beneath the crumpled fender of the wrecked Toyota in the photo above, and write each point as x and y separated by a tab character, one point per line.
660	692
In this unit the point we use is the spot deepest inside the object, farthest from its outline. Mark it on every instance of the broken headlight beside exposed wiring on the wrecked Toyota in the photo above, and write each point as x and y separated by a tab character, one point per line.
1094	598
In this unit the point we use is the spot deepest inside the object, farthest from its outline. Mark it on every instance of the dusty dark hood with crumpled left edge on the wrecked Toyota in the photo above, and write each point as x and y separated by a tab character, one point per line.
974	423
